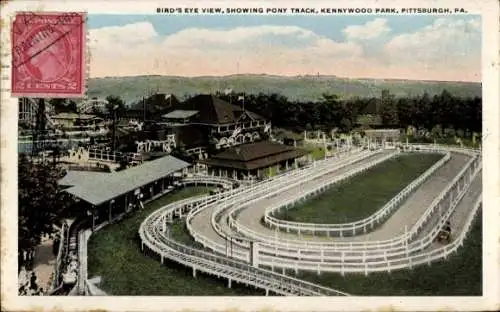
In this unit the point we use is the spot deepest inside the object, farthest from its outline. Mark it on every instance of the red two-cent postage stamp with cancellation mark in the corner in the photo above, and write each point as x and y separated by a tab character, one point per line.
48	54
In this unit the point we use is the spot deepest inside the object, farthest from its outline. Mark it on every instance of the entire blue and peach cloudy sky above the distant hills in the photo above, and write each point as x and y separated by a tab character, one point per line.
421	47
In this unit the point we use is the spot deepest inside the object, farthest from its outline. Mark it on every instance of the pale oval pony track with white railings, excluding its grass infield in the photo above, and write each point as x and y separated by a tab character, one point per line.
244	243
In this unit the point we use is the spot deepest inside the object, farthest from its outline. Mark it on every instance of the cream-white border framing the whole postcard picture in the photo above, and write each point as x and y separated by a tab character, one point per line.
490	300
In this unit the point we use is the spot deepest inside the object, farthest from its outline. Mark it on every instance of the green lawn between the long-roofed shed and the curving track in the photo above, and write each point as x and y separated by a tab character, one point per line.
114	253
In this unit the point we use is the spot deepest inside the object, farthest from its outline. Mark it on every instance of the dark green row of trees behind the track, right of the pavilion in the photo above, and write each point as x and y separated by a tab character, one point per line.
442	111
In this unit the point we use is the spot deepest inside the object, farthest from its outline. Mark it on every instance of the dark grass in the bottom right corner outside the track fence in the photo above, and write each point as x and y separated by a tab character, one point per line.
459	275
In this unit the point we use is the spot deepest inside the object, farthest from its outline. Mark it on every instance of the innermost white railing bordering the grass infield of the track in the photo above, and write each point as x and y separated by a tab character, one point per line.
351	228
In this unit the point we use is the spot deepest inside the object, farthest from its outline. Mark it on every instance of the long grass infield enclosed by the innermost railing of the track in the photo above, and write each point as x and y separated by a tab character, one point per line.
363	194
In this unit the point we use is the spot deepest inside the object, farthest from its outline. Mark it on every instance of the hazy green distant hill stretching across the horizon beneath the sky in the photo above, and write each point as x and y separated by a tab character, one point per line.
300	88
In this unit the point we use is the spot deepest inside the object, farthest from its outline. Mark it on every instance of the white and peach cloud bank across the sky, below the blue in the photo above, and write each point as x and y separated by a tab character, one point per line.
444	50
